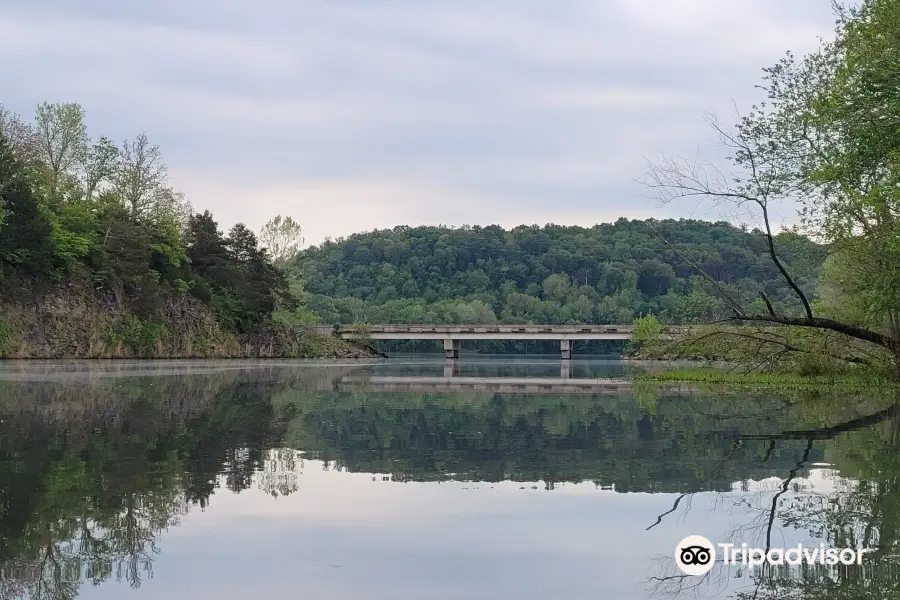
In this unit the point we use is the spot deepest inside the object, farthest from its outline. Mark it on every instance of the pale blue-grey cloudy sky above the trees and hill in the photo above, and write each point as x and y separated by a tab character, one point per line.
360	115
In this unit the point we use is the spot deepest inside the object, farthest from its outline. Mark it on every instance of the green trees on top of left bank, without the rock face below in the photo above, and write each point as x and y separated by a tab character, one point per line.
75	210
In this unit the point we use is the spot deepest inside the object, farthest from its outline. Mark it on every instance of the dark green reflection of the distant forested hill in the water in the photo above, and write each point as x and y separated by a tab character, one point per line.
680	444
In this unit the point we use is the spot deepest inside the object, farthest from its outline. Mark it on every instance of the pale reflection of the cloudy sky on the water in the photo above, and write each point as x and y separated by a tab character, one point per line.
341	535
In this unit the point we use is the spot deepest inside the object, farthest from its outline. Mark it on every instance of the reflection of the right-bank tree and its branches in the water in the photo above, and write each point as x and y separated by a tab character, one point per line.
861	510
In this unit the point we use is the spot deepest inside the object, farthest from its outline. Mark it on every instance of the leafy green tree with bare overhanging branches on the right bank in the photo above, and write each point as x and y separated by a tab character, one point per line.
825	138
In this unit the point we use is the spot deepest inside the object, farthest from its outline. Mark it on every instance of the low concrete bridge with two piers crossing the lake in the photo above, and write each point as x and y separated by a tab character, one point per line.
453	335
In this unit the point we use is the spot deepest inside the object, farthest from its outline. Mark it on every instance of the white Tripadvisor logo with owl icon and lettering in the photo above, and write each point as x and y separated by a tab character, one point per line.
696	555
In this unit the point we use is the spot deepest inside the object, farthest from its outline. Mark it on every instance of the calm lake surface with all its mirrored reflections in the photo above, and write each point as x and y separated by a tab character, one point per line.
403	480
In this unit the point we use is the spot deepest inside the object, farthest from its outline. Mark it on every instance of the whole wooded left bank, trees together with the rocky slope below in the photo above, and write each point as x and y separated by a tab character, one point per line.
96	229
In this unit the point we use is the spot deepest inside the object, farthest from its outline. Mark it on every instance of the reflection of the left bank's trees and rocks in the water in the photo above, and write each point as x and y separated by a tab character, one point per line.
89	479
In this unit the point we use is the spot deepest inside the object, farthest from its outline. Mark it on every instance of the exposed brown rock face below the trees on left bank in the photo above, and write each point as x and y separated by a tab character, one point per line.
77	321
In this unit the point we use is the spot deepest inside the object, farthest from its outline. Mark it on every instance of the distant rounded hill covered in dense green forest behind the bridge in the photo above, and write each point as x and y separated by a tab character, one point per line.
609	273
